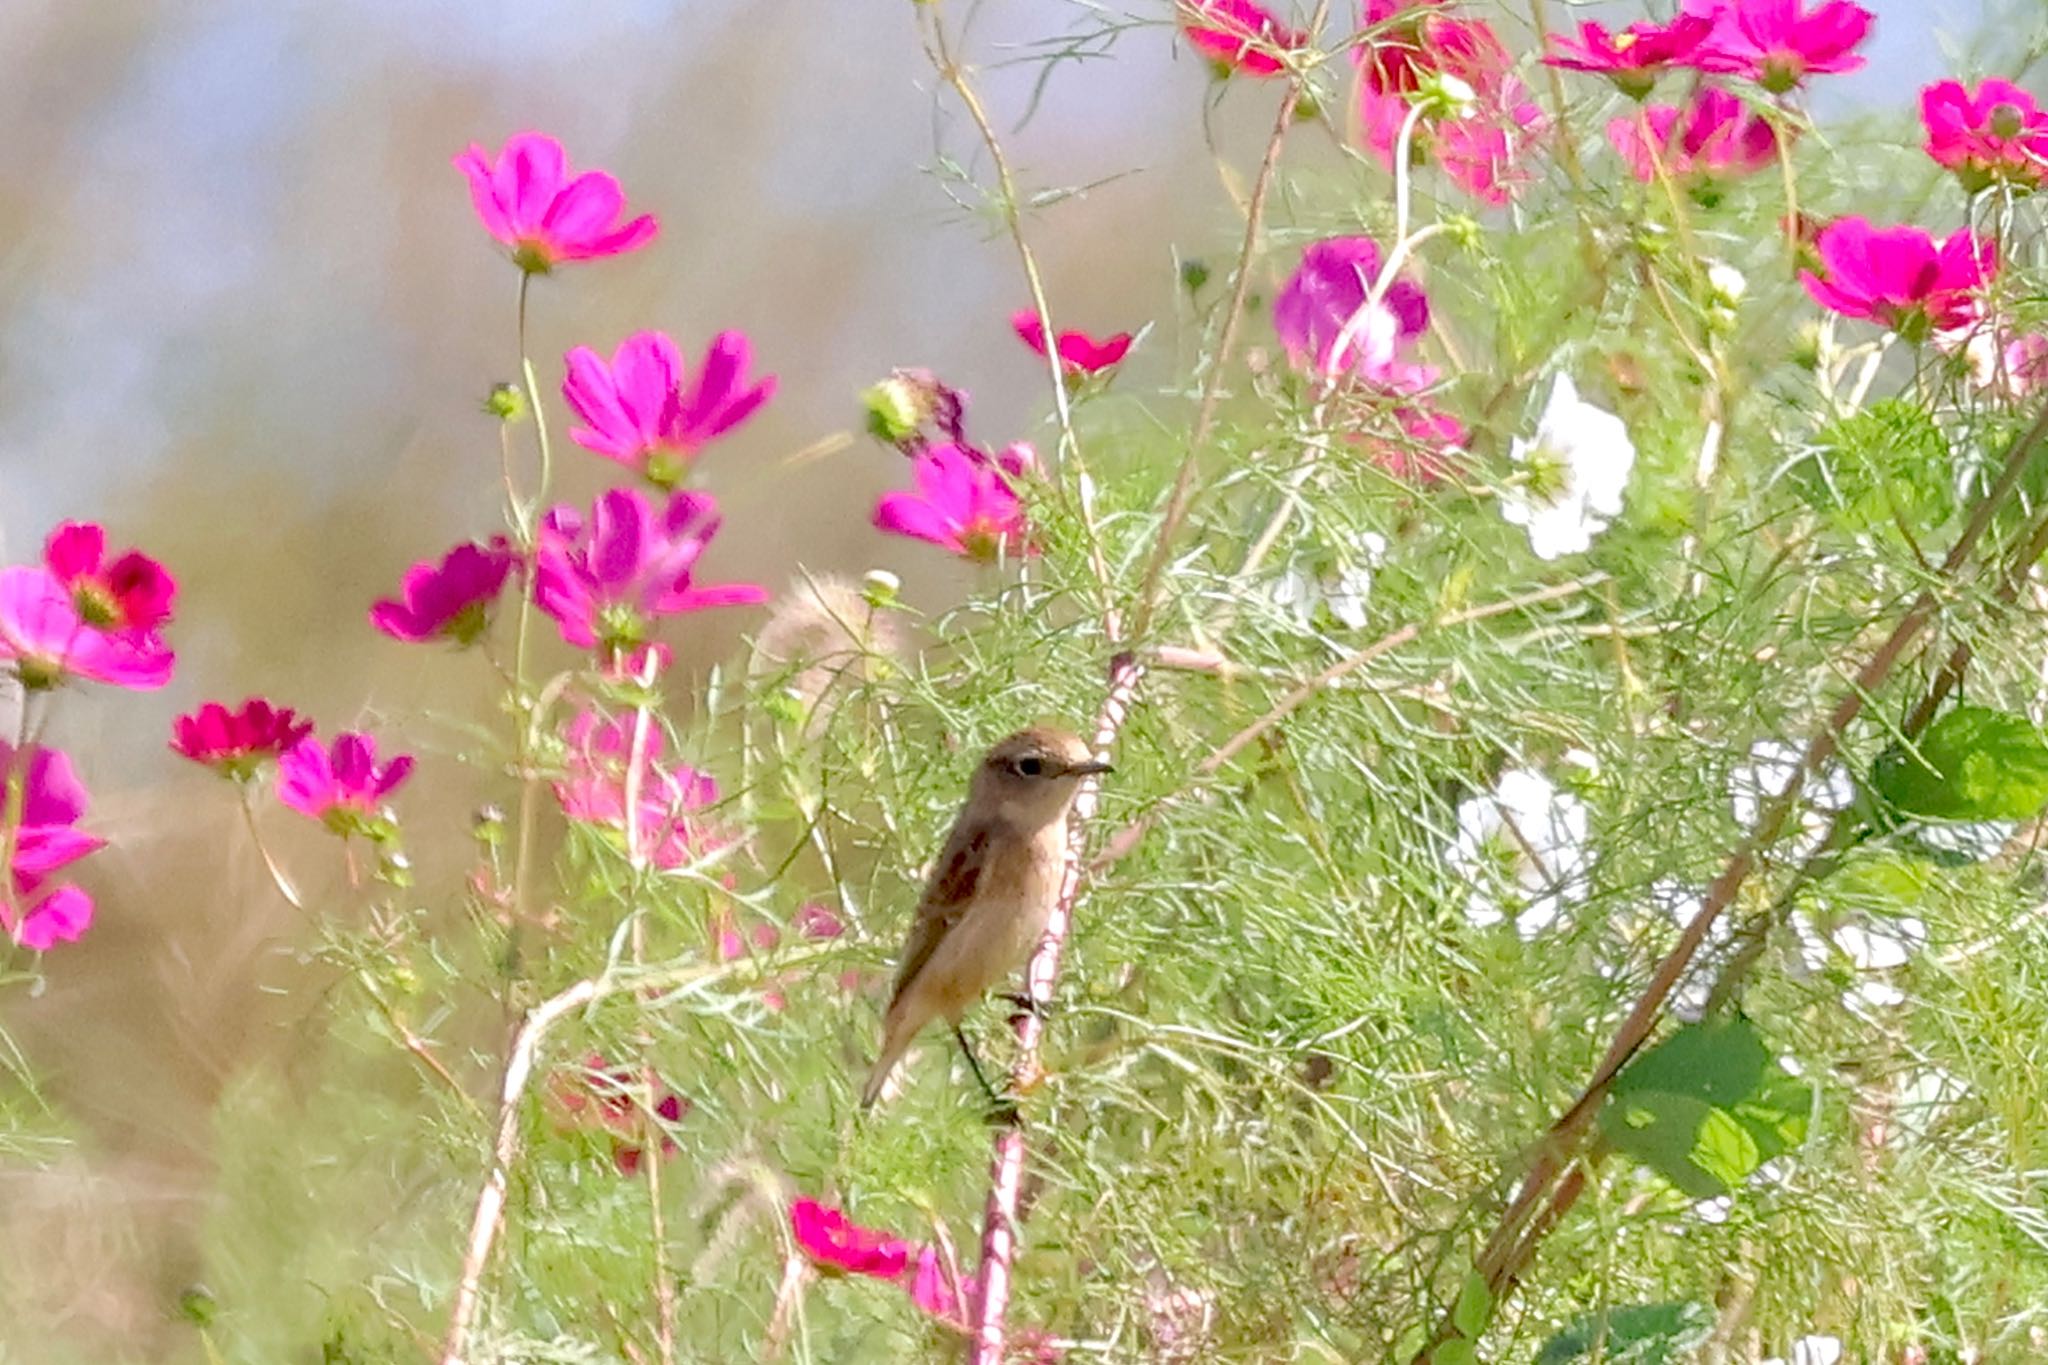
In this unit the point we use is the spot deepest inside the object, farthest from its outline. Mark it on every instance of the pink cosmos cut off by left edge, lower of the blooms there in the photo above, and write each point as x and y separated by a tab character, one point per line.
36	912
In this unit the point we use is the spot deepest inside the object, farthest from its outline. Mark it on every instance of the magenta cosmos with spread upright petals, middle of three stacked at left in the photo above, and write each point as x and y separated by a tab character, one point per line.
636	408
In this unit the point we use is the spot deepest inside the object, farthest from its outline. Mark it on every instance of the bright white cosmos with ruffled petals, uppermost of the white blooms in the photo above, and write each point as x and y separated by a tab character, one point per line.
1576	474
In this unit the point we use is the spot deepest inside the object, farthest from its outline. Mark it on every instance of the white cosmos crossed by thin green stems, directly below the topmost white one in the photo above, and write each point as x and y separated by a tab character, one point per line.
1523	850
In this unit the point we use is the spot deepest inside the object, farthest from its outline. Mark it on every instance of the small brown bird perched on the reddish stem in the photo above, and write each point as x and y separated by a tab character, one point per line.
990	893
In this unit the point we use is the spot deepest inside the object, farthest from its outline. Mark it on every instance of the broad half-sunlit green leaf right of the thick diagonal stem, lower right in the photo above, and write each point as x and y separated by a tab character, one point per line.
1705	1108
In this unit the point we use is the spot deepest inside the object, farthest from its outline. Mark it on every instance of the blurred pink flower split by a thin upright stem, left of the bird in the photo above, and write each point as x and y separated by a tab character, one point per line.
673	797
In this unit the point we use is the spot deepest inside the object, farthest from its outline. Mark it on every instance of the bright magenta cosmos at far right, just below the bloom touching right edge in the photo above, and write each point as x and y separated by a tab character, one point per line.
1902	277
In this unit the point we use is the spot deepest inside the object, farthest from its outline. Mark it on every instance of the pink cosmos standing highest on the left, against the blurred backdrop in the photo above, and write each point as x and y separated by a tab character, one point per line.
529	202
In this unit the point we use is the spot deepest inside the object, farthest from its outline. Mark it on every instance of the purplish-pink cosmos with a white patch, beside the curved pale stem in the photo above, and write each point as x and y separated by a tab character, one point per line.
1332	326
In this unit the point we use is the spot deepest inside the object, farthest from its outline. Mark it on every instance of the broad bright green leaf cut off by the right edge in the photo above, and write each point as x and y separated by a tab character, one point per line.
1973	764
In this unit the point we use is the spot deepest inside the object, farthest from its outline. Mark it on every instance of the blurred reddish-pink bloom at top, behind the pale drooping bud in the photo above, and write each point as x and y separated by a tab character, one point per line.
1414	46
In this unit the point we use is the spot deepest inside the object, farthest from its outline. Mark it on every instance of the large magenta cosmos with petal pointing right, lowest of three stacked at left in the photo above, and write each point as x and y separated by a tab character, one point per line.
607	580
